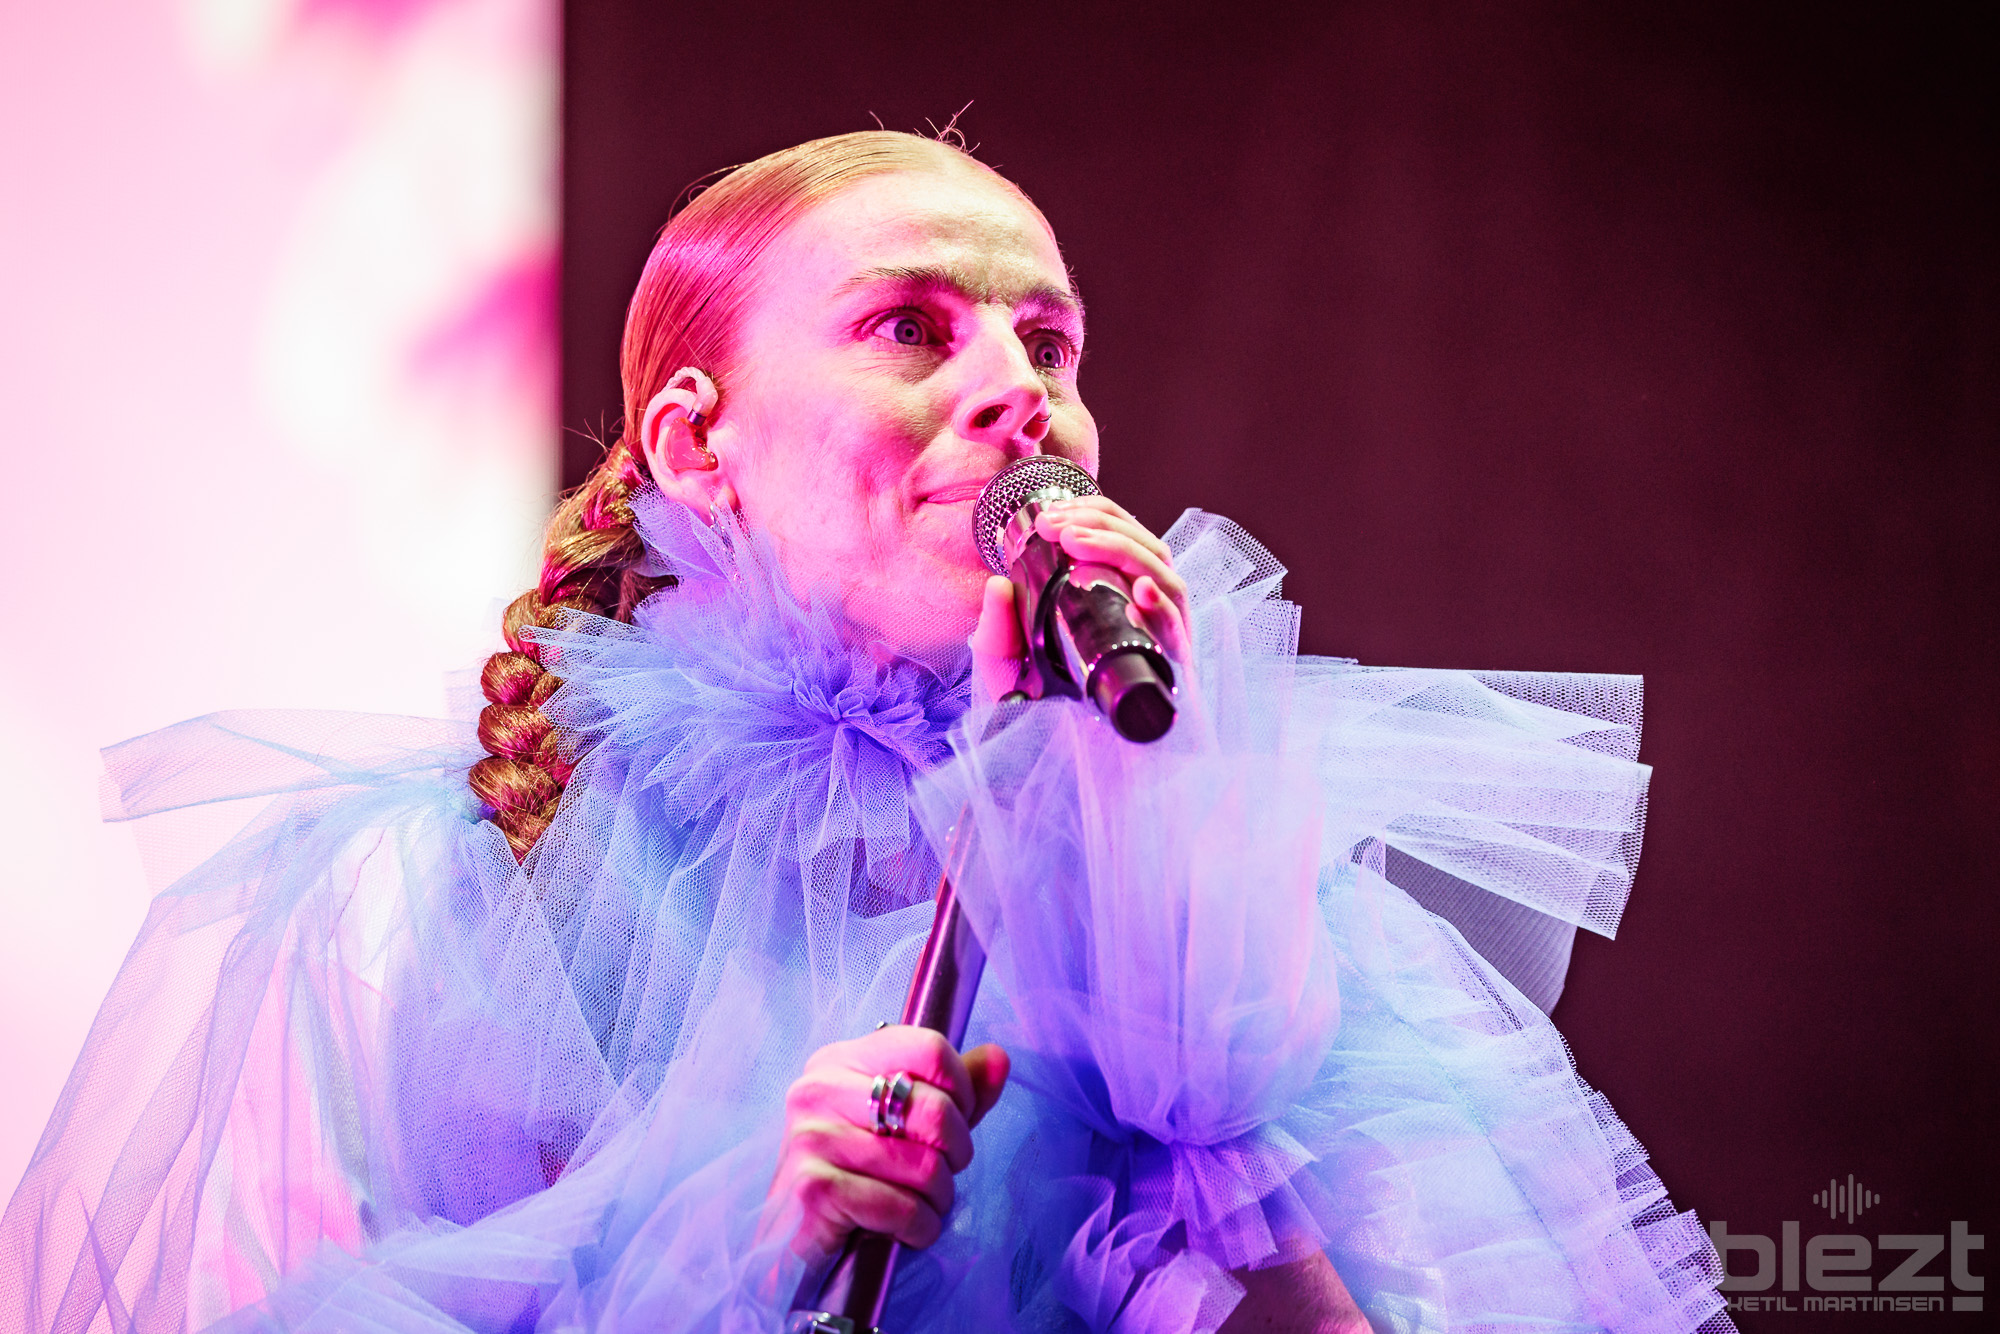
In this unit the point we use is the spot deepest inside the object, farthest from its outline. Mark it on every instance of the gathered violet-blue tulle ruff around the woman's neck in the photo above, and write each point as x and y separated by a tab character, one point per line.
737	705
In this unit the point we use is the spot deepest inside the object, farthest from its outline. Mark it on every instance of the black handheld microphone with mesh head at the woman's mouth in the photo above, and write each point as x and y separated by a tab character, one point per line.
1085	641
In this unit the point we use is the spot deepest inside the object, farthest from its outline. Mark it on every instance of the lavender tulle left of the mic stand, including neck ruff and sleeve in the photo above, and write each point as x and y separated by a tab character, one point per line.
367	1071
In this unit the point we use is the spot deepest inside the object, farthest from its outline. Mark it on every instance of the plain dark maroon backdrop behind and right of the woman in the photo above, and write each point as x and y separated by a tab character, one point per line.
1533	337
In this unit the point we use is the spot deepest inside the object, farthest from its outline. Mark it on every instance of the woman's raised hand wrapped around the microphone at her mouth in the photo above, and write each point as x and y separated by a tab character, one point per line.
1093	531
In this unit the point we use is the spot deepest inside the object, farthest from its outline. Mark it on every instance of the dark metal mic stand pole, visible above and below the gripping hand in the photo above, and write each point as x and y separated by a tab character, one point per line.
853	1293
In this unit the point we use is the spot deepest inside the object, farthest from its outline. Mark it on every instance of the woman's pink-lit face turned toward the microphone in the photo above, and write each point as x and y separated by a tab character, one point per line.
903	343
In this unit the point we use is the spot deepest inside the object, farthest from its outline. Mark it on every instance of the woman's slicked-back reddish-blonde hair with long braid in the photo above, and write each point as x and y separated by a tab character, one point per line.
685	313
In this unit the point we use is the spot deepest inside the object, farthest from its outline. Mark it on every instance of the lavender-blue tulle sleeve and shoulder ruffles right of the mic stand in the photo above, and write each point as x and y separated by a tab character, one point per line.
1257	1039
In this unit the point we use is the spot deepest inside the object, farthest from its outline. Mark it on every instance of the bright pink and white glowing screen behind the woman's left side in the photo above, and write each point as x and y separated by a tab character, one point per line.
277	369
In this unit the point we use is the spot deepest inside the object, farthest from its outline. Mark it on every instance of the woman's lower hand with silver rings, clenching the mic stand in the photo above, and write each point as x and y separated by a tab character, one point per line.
843	1175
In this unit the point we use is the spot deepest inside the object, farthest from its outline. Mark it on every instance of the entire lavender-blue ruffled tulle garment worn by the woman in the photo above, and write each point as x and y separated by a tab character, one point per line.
365	1073
